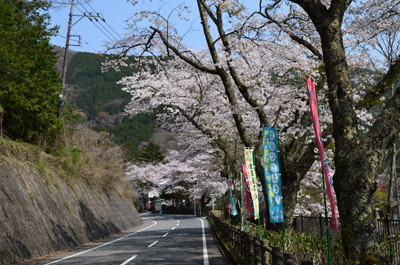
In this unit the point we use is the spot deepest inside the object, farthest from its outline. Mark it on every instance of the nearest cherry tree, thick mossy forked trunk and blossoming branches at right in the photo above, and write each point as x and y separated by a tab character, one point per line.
358	157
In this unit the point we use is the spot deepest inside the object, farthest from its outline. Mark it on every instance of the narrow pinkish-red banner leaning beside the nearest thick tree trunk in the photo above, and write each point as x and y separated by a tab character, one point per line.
328	179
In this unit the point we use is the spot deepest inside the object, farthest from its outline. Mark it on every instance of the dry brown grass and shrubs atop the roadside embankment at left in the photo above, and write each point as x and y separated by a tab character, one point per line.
82	154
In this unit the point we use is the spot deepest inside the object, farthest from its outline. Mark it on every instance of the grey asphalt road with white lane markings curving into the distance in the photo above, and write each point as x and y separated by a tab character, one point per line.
163	239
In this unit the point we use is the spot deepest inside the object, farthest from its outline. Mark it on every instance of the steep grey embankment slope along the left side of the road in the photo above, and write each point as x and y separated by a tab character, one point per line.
42	211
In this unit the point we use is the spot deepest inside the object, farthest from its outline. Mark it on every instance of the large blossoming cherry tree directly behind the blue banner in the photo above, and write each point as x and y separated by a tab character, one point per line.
256	82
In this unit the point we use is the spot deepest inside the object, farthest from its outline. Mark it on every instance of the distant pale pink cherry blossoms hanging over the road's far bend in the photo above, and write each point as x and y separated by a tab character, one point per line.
191	171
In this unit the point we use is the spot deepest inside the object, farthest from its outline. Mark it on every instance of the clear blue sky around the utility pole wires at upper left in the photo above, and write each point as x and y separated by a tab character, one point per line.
93	34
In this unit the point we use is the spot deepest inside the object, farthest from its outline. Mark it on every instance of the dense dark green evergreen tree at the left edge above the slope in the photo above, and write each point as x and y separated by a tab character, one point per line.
30	85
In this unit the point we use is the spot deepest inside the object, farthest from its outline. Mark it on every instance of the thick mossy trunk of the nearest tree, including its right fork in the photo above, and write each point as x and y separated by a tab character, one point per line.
357	164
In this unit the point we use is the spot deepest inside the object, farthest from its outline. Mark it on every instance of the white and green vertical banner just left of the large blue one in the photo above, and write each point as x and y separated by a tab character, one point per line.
251	178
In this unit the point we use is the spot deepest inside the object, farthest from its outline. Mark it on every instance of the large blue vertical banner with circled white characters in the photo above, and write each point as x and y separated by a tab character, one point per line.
272	174
